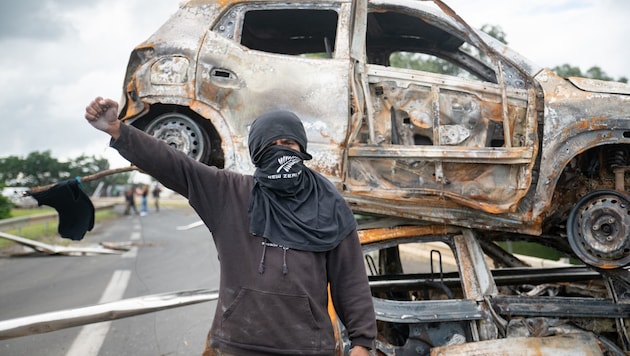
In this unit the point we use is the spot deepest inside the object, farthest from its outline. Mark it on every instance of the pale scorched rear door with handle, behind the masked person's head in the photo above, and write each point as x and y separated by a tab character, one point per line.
293	56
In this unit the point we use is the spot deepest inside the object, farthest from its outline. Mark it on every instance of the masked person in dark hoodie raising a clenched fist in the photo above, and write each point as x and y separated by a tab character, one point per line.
284	236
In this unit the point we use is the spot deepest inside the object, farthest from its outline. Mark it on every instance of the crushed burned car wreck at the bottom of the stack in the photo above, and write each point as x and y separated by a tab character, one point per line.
479	309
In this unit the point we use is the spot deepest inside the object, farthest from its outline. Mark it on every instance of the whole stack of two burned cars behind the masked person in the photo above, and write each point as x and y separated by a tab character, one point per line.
503	150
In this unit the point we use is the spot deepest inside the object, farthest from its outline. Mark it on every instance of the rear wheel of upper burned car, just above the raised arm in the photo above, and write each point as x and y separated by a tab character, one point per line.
181	132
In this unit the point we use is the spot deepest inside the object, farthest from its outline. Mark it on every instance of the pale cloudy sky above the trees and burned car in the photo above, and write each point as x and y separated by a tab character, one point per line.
59	54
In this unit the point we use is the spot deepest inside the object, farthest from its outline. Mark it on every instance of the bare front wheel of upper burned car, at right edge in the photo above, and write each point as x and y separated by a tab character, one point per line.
598	229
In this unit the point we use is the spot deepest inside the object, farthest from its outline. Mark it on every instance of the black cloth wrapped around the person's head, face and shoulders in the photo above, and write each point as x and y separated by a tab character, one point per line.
291	205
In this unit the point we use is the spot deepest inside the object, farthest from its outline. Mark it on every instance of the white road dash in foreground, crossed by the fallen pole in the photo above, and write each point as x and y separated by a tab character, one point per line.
90	339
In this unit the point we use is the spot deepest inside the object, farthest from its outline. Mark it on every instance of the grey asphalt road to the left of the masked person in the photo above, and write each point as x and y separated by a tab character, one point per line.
164	259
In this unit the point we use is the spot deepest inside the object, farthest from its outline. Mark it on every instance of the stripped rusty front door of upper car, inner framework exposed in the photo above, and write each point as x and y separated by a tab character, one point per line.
461	136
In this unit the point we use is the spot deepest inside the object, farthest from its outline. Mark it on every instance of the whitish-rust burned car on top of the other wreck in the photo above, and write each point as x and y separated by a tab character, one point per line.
509	146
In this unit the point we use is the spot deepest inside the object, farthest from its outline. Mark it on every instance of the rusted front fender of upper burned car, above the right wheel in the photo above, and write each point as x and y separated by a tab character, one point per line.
575	121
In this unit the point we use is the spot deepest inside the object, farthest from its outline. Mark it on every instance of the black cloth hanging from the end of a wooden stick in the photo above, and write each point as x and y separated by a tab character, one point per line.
75	209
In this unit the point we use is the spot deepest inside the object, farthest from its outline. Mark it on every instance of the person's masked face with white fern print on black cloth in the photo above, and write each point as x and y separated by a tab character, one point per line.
281	170
